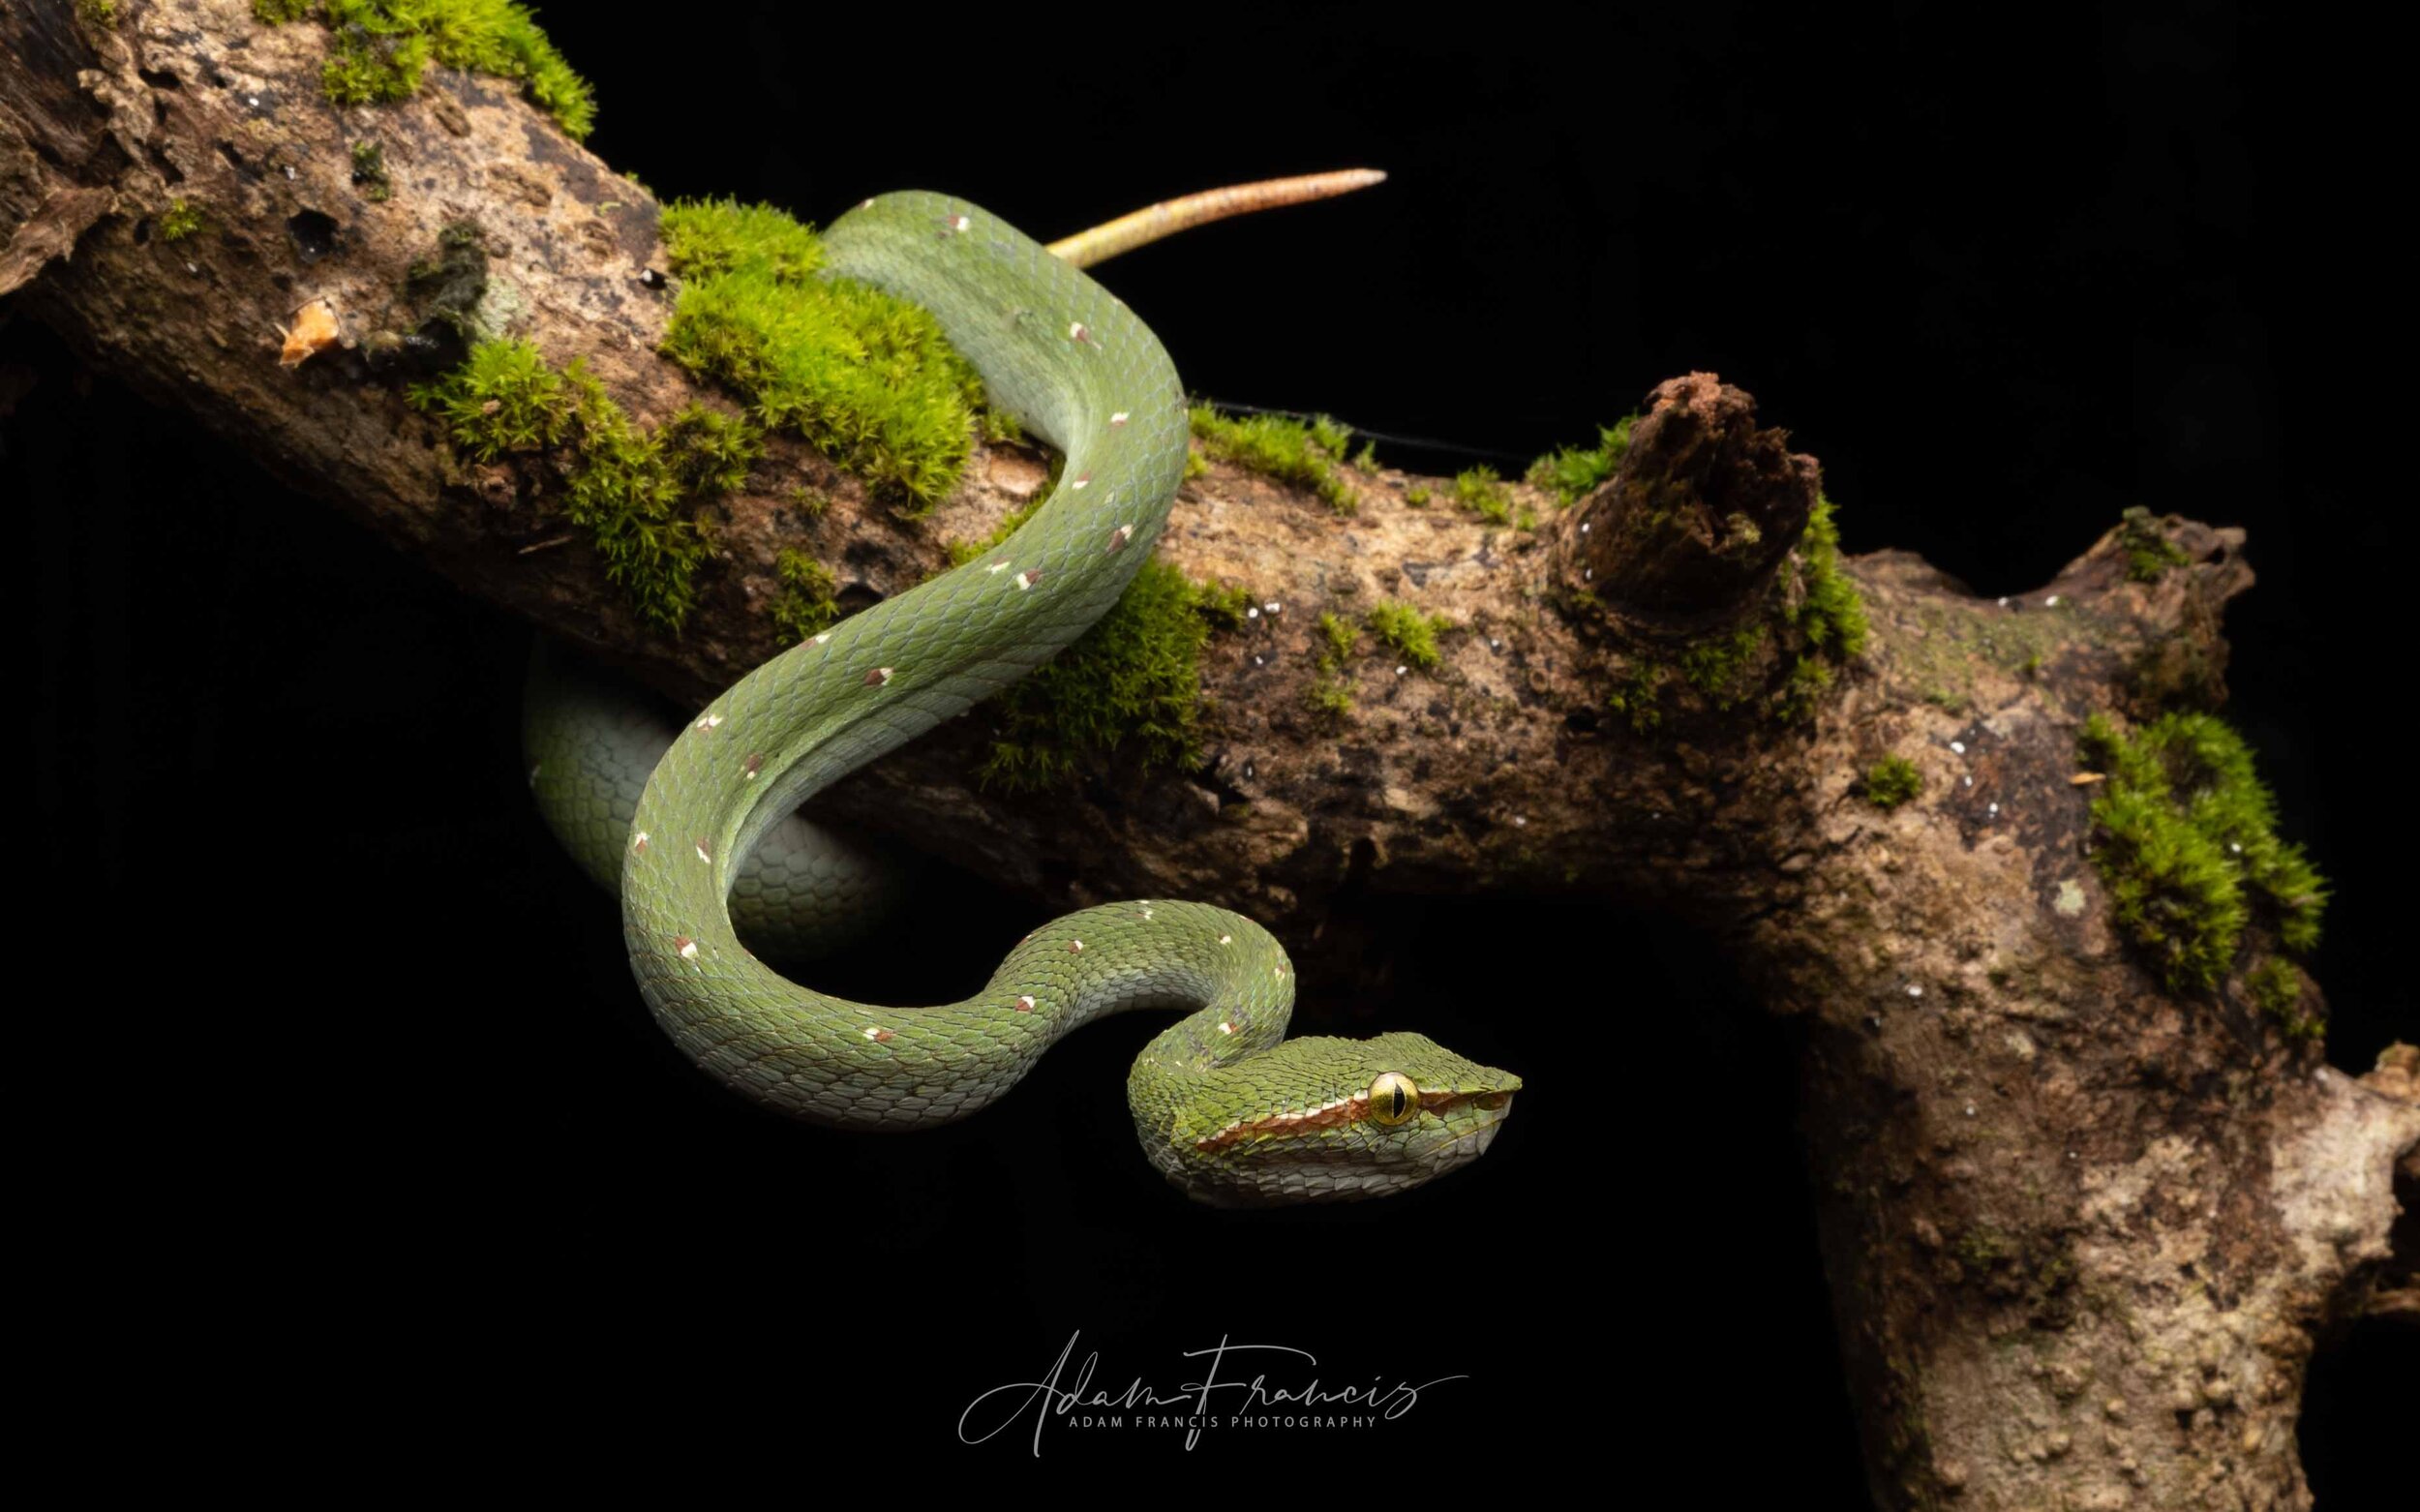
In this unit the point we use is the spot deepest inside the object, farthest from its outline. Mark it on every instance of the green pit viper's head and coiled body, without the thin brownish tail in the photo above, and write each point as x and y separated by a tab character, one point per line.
1228	1107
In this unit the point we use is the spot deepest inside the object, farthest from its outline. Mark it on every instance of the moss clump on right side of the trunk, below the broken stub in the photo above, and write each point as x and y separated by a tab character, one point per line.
2186	843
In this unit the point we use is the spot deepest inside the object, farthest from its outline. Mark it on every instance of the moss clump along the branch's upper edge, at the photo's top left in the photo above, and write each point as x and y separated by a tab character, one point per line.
379	52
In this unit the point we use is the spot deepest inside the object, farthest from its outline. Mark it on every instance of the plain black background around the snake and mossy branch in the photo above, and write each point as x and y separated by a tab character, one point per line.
401	1129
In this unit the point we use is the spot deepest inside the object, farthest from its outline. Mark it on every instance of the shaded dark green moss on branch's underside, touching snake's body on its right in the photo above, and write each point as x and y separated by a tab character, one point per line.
1127	686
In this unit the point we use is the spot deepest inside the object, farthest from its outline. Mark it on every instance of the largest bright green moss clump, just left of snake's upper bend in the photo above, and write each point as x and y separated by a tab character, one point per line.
863	376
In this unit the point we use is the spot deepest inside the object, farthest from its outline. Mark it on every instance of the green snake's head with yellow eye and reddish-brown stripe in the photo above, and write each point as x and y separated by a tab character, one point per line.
1327	1121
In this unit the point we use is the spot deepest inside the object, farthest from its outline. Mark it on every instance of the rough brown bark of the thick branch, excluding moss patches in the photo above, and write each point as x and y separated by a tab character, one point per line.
2080	1230
